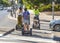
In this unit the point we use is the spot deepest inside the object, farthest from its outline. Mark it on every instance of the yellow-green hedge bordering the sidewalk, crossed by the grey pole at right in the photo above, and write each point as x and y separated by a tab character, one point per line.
49	8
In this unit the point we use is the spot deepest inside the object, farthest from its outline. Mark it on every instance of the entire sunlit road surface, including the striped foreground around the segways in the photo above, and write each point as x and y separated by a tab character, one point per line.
39	36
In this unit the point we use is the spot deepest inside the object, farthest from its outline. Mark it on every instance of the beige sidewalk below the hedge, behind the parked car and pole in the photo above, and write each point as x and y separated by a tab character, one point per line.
47	16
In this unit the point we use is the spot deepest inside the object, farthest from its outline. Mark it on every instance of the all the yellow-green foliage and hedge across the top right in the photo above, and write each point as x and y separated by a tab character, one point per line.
43	5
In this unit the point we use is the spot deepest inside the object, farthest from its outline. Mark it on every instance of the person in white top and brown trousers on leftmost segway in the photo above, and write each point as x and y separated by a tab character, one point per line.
19	19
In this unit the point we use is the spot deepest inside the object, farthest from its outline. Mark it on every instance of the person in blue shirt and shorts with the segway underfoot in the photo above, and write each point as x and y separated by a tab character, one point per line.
26	23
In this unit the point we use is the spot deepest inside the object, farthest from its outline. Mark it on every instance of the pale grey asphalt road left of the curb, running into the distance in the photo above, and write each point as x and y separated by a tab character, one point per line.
5	21
